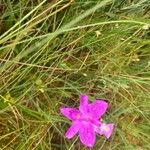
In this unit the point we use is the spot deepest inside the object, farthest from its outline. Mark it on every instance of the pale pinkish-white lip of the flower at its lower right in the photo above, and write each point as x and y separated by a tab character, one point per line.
106	129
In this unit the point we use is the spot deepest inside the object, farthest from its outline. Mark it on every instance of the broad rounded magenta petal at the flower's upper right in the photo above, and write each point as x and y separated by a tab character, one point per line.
97	108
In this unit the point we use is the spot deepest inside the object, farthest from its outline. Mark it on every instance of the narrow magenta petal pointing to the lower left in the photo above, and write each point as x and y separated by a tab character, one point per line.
72	130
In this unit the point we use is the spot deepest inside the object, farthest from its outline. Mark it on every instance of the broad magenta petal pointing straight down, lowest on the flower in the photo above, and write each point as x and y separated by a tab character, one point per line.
87	134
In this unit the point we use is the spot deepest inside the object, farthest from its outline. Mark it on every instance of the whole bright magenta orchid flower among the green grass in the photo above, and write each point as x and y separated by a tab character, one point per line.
86	121
